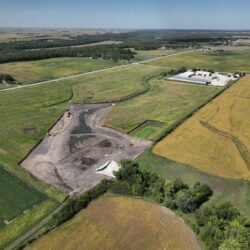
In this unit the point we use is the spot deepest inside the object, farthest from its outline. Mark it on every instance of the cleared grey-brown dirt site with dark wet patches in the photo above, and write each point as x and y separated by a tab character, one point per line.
70	154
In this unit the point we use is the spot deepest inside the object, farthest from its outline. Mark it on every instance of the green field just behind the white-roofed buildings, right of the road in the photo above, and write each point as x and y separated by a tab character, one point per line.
228	61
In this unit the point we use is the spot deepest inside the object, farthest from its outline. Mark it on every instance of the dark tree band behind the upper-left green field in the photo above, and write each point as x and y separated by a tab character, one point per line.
114	53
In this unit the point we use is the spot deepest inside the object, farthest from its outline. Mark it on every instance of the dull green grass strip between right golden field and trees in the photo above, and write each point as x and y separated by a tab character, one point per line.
237	192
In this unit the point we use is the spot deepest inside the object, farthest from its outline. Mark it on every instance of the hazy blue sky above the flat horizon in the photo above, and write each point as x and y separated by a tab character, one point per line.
134	14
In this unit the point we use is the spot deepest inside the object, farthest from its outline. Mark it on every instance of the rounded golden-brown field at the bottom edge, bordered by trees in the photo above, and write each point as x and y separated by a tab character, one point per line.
121	223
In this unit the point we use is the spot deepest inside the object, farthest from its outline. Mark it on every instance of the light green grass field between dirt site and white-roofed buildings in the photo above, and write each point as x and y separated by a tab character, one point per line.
167	102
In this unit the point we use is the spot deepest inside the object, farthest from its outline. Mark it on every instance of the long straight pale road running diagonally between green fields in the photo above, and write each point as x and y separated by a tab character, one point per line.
91	72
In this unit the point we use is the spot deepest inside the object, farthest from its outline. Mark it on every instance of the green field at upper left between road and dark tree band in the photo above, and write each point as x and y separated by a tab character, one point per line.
47	69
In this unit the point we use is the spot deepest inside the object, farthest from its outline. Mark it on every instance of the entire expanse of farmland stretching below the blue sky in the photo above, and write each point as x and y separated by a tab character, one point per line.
123	139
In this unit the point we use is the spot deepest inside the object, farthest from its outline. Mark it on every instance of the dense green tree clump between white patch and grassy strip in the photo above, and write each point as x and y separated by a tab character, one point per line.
173	194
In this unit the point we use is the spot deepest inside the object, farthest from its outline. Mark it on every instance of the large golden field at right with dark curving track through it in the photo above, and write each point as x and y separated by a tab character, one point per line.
216	139
